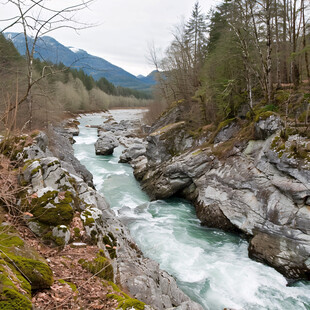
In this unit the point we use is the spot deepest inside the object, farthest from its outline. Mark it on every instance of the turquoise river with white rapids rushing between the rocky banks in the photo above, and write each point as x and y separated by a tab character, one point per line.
211	266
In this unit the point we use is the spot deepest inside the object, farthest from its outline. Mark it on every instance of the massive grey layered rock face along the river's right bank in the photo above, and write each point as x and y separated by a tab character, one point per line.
261	188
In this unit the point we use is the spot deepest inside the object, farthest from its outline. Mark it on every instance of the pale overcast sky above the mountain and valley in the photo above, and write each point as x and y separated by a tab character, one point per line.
125	28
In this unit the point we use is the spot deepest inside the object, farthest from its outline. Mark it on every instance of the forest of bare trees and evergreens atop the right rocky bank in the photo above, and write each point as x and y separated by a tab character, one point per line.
241	57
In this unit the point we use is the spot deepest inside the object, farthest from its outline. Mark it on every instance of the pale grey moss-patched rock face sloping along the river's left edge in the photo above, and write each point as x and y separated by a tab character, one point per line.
58	196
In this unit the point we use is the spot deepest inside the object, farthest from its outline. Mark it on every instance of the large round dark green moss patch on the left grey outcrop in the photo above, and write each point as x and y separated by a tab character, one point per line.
47	211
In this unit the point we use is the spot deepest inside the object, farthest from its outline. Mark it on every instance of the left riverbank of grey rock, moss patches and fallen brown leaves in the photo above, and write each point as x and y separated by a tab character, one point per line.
73	220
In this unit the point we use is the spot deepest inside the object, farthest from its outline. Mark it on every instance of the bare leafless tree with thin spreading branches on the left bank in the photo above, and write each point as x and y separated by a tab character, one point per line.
36	18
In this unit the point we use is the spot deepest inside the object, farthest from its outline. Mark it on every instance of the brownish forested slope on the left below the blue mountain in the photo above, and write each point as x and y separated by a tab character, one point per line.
55	89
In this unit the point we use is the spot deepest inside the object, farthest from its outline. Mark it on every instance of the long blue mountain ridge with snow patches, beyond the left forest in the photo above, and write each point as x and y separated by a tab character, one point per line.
47	48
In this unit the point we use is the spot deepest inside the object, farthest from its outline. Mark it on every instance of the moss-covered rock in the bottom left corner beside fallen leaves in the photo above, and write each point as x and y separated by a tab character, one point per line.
21	271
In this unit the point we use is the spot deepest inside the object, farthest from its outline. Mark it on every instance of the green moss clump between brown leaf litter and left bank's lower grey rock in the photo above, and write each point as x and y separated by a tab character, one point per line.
100	266
